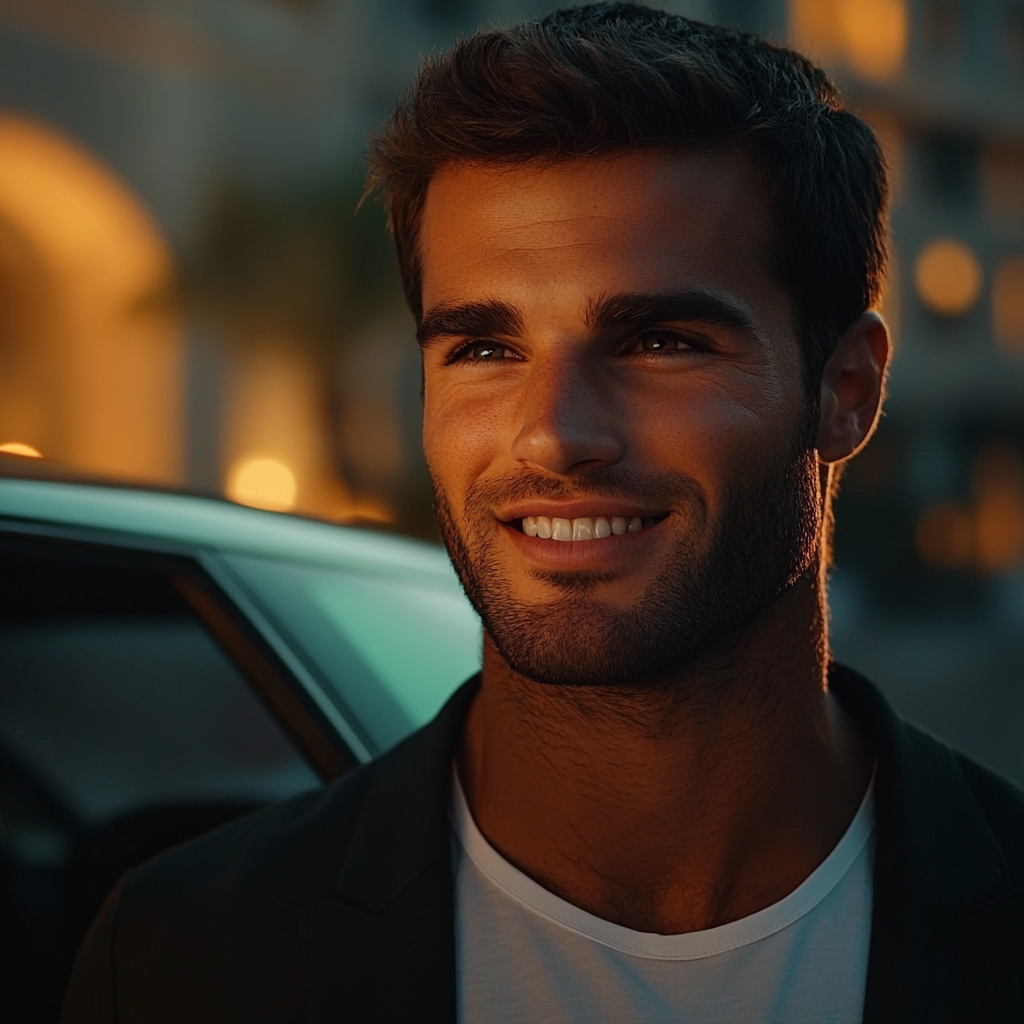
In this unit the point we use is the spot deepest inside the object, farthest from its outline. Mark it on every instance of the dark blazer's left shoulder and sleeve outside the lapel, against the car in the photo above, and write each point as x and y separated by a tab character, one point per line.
210	930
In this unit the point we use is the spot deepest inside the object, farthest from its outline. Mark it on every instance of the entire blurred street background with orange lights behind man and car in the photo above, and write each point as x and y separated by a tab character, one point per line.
189	297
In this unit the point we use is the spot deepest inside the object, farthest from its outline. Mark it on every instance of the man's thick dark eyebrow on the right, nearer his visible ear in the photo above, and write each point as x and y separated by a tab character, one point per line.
708	309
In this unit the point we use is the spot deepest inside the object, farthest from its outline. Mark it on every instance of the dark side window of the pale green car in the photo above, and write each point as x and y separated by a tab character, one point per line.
124	731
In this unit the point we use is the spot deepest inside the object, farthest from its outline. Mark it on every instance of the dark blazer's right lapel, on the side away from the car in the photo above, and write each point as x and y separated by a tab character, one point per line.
935	858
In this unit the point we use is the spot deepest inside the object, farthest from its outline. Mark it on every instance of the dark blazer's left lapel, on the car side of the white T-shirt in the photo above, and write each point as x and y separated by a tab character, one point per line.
383	949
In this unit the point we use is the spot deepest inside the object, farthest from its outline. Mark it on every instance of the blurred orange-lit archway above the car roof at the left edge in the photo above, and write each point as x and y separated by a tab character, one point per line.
91	366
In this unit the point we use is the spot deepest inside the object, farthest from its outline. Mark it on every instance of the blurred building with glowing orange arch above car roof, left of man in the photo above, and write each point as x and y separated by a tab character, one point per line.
188	294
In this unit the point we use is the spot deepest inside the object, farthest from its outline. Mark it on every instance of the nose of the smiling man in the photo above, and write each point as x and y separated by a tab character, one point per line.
568	422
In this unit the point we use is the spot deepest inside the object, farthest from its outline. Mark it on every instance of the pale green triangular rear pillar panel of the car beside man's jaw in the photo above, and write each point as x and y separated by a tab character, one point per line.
394	649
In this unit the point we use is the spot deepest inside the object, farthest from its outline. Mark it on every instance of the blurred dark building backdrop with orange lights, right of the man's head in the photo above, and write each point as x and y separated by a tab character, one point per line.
928	593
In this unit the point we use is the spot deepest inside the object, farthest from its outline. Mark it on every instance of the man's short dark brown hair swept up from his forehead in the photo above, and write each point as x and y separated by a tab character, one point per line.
607	78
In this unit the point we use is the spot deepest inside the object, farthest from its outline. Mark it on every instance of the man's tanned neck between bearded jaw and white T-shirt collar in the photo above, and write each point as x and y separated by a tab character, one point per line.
680	805
